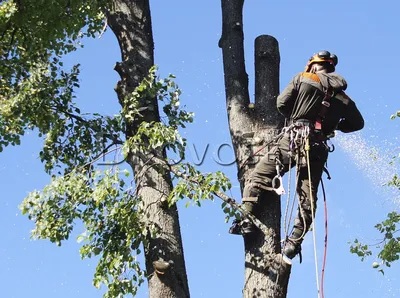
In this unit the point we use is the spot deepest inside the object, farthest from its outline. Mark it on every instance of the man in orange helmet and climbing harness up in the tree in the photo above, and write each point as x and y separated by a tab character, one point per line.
314	104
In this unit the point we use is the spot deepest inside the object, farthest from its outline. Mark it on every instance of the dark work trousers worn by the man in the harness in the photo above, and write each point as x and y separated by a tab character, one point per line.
265	171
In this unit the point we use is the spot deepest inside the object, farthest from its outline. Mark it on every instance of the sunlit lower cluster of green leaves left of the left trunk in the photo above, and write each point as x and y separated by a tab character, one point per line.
109	211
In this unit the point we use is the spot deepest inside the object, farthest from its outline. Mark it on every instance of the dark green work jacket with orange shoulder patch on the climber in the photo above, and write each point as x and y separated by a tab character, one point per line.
302	99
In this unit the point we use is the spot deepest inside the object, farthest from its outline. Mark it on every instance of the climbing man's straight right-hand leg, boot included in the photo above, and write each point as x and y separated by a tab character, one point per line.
308	203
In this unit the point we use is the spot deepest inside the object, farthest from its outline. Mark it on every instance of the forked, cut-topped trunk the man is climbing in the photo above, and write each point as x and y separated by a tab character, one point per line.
266	274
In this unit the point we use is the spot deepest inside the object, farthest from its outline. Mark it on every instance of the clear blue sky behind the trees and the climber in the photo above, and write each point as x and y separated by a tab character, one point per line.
364	35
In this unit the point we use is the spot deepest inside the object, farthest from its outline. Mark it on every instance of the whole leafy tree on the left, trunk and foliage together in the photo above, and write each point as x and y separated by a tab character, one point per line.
38	94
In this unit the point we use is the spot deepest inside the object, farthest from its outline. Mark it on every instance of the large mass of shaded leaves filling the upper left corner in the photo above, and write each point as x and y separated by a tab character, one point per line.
36	92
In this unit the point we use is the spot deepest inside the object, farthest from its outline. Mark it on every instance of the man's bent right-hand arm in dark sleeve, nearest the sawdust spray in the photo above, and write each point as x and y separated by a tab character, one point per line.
353	120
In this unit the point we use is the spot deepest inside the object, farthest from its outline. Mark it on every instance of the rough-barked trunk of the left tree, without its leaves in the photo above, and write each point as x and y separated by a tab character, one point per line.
131	23
